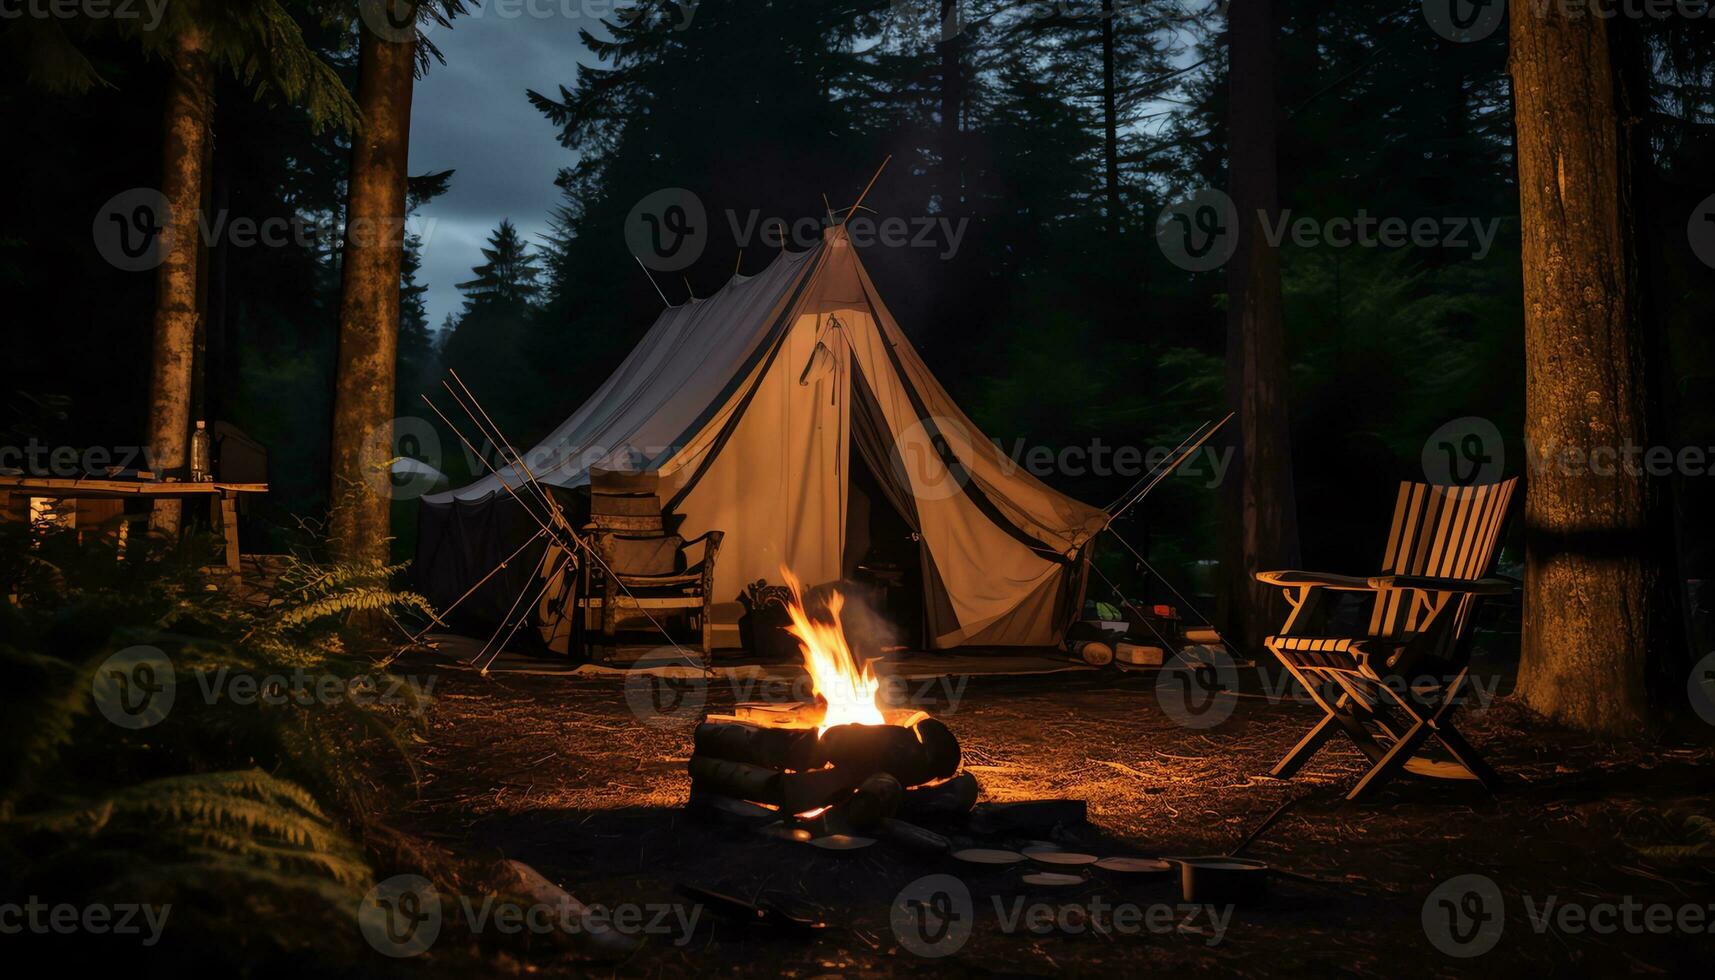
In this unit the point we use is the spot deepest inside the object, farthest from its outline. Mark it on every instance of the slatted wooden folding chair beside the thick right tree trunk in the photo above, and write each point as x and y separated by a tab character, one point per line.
1371	687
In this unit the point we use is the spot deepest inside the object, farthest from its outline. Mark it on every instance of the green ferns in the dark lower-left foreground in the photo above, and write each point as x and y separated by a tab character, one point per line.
263	802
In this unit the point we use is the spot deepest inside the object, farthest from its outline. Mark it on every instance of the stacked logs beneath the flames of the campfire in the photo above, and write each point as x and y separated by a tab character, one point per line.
867	773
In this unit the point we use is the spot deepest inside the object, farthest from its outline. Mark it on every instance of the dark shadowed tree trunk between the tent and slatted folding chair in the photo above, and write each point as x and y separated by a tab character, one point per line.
1261	528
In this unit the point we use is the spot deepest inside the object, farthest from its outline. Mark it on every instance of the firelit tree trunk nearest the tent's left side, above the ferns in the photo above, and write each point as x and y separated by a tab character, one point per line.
370	301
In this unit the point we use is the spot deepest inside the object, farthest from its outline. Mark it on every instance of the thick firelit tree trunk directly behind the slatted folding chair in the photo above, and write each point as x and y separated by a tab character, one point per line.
1598	584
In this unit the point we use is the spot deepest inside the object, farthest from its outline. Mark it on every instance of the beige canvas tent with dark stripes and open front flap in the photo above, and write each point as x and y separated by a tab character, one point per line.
773	411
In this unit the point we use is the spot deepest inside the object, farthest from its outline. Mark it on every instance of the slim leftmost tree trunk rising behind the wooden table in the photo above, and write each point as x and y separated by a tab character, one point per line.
186	138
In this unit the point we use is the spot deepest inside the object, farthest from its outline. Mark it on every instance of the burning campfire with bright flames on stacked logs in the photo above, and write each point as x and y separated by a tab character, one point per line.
845	761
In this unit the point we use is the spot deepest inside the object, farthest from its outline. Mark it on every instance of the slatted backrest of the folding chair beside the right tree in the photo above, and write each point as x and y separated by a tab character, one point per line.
1441	533
